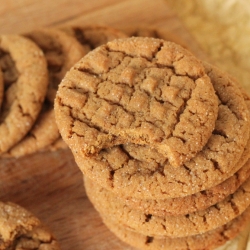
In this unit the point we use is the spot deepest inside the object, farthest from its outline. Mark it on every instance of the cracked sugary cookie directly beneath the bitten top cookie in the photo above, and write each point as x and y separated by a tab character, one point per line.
141	172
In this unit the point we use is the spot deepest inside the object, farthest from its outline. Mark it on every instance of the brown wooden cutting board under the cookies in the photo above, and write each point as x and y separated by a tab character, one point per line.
49	184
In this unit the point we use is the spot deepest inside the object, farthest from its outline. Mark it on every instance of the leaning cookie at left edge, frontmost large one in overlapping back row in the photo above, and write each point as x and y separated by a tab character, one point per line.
25	77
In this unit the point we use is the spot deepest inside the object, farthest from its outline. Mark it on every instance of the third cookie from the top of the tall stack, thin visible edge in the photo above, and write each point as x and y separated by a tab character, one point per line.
191	203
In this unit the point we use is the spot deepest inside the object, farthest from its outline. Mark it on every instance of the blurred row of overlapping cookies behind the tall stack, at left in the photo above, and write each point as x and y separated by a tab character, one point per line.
31	67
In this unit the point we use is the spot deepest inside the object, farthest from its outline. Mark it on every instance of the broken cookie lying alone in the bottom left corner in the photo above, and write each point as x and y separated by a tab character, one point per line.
19	229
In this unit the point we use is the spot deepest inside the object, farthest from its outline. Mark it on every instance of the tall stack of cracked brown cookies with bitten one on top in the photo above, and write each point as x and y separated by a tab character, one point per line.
163	142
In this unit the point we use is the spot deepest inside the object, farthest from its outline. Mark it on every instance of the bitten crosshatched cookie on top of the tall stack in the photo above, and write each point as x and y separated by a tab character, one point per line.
123	92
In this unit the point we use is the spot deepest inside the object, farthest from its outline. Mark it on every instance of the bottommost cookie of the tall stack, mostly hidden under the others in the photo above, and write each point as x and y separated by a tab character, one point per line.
207	241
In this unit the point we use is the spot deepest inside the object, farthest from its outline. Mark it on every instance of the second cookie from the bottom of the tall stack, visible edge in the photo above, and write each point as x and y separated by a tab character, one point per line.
198	222
